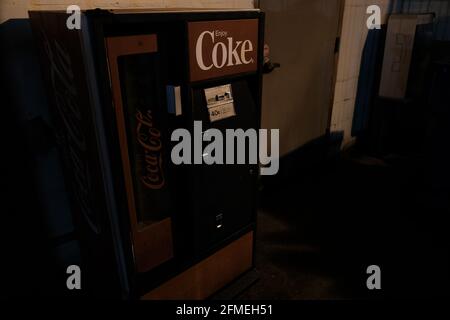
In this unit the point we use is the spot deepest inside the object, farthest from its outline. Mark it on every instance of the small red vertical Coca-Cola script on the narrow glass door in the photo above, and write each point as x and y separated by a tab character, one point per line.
149	138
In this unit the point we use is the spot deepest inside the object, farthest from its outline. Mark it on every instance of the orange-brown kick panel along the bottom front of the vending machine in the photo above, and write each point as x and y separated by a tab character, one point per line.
208	276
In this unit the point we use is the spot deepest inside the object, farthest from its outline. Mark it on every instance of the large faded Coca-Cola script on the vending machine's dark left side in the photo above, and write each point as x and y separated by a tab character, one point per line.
69	125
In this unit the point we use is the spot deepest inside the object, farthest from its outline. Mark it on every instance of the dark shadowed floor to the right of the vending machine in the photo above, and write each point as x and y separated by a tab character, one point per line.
318	233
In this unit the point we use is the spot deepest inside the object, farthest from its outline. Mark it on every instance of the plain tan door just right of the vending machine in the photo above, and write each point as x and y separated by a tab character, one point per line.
297	97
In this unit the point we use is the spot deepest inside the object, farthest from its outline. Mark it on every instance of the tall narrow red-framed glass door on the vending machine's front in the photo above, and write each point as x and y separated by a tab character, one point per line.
139	108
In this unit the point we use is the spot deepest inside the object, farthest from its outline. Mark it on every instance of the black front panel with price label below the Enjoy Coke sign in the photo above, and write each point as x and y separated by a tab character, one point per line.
225	194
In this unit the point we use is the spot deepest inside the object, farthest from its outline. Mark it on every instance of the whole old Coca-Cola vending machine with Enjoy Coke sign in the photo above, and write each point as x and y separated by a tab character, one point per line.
118	88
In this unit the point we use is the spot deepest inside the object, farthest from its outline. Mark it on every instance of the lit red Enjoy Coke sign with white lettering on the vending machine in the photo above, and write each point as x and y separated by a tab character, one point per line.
220	48
